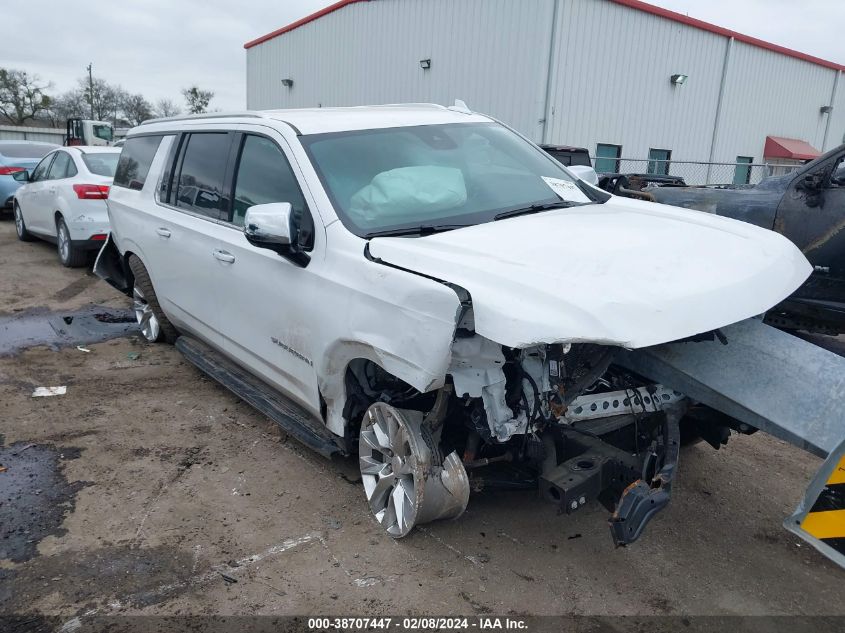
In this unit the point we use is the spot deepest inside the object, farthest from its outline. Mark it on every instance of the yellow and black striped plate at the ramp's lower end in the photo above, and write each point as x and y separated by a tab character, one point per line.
820	519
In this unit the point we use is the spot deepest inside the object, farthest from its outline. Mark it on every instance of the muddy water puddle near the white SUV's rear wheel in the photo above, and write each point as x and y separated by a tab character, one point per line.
63	329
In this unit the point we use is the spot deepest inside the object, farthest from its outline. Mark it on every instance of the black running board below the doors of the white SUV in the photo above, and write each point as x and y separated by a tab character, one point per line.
293	419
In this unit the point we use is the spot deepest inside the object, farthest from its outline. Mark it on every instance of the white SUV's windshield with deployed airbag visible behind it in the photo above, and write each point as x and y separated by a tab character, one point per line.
435	175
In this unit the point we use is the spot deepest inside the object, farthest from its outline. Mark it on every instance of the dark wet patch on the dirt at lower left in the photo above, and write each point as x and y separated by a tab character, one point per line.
34	497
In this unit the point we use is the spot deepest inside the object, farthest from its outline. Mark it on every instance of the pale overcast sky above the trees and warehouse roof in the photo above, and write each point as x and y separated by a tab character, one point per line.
156	47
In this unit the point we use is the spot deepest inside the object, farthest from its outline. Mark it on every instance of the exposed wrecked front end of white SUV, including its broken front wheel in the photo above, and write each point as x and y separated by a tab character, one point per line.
561	419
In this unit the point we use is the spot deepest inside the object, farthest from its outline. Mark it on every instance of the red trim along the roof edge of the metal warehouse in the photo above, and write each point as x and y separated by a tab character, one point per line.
633	4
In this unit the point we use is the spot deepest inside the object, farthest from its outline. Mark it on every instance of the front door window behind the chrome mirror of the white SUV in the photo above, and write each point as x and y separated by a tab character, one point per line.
264	175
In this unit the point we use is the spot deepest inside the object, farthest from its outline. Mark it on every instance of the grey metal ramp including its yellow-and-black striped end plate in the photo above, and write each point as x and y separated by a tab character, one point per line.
777	383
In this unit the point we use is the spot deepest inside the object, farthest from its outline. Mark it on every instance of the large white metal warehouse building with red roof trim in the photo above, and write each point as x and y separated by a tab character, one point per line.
623	78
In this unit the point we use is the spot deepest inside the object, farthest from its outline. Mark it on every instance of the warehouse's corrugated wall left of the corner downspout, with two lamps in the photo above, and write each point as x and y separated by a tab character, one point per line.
490	53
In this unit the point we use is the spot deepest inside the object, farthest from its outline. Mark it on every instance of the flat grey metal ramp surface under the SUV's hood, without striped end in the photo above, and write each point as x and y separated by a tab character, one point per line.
763	377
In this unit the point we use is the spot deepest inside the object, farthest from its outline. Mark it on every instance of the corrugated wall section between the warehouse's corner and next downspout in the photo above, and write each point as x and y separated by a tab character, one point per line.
612	81
